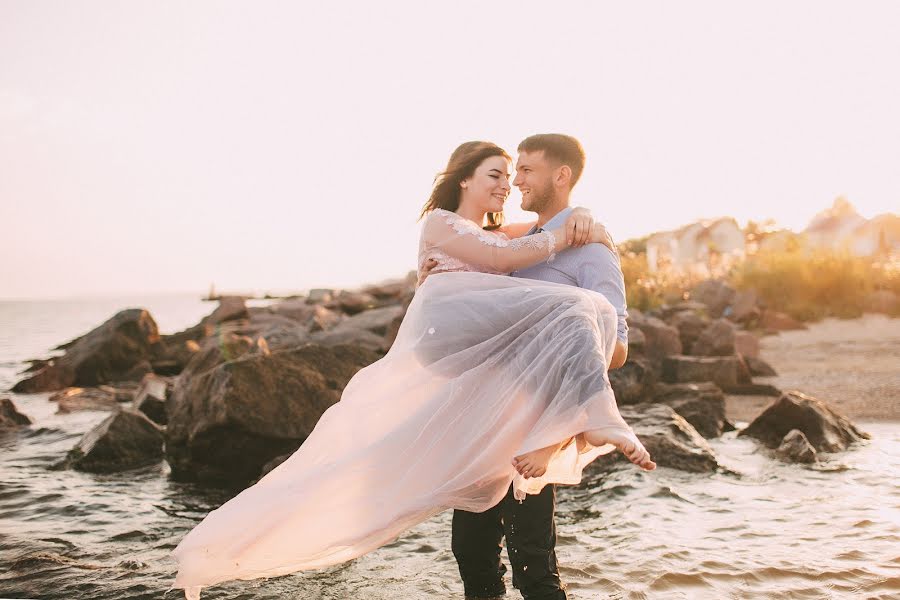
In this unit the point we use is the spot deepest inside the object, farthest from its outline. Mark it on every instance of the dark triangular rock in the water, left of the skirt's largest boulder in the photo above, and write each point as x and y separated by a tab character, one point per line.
124	440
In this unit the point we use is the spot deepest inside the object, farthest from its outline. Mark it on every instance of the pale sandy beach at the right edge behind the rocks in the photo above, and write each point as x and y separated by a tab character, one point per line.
854	364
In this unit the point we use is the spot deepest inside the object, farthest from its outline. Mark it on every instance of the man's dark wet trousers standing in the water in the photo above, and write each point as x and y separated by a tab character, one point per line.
530	531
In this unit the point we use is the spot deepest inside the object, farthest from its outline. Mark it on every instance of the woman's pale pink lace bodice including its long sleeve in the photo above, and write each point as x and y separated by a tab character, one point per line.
458	244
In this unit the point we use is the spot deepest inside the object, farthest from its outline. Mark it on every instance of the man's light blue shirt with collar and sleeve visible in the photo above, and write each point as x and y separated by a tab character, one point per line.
592	267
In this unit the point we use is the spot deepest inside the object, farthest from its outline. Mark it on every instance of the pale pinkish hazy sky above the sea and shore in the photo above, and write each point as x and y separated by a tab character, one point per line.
160	146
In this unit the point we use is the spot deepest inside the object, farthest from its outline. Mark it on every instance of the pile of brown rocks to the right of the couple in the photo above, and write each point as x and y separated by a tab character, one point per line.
684	358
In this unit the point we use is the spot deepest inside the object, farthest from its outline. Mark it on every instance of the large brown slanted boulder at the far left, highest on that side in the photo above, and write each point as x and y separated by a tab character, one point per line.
106	354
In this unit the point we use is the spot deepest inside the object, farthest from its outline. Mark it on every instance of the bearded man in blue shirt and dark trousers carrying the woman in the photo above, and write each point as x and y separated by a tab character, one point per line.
548	167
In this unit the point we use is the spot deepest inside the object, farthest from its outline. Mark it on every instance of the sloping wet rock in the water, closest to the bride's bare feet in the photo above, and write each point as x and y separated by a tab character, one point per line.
670	439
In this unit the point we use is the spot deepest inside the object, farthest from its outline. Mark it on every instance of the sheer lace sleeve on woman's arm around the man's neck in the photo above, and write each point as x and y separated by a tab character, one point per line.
464	240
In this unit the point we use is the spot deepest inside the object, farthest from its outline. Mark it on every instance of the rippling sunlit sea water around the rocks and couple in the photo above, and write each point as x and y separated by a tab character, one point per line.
766	530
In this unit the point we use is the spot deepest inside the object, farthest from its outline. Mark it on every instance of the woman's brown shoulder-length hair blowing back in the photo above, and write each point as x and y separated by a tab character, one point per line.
462	164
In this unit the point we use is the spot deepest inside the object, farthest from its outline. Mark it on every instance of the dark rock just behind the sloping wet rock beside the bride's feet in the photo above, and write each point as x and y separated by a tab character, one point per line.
701	404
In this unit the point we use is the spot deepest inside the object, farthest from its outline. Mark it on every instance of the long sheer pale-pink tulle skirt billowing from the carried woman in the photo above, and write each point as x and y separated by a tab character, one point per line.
484	368
